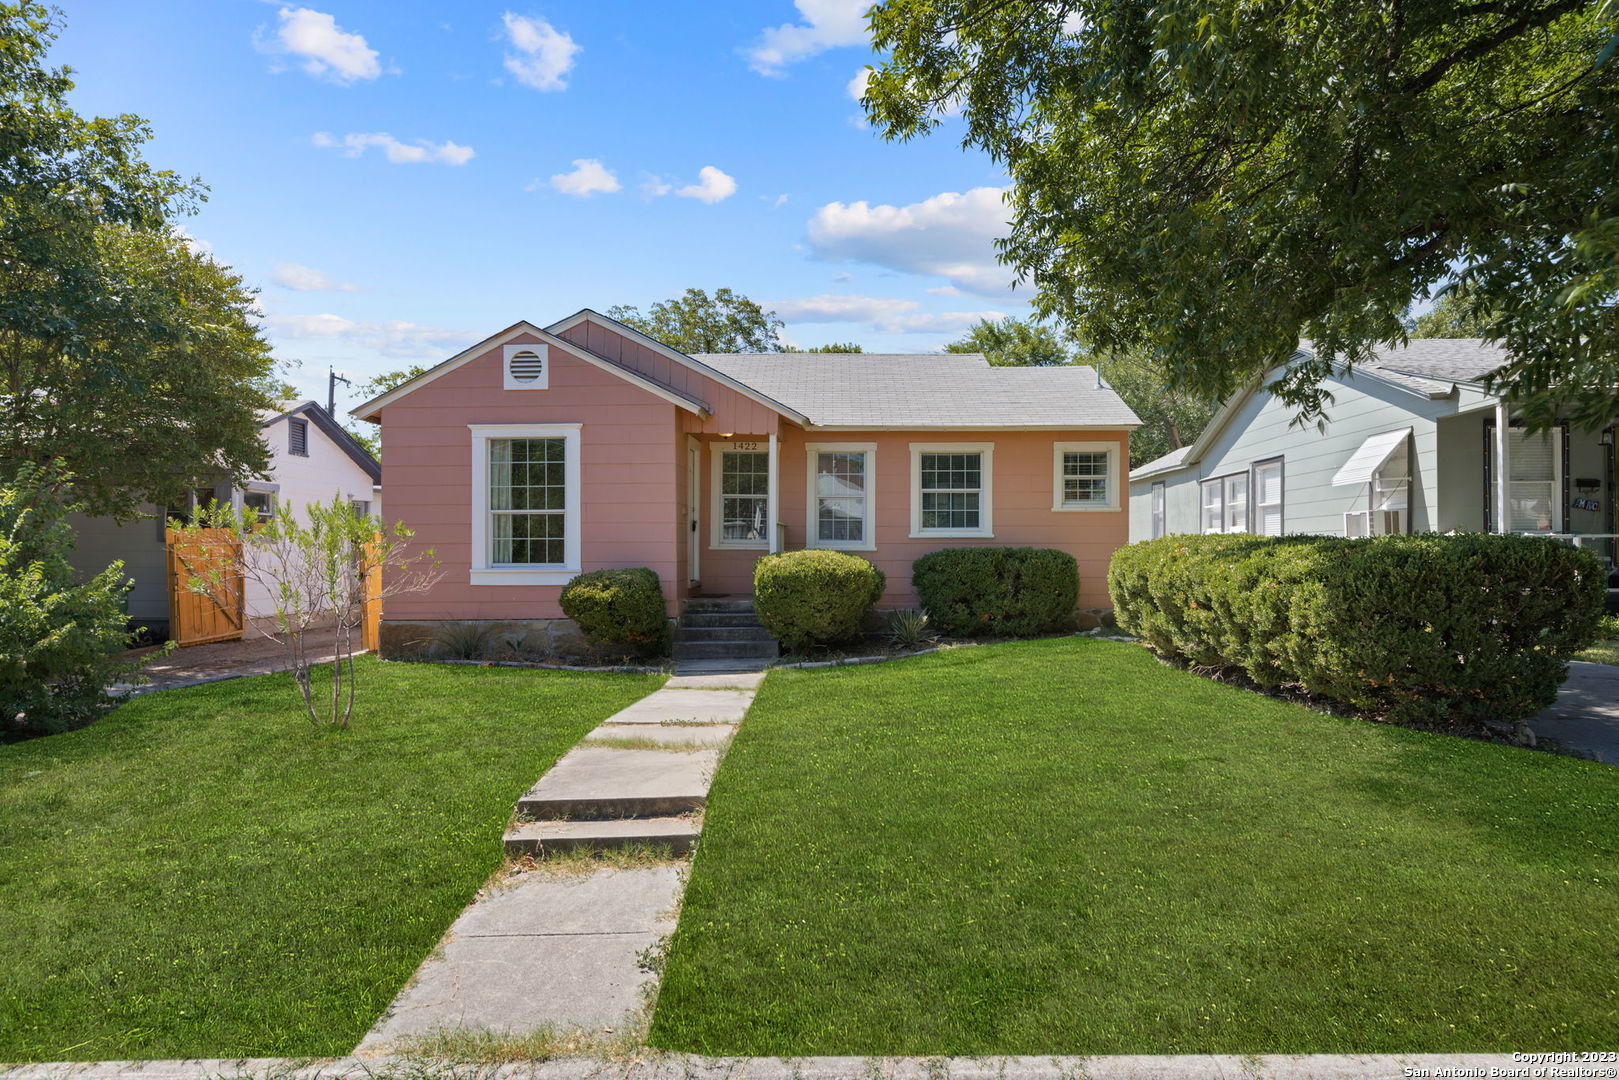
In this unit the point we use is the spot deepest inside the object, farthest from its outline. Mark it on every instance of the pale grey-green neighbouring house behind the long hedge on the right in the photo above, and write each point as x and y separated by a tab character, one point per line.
1413	444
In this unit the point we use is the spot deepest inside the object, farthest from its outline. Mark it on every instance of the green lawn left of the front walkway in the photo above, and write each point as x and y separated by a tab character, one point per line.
203	875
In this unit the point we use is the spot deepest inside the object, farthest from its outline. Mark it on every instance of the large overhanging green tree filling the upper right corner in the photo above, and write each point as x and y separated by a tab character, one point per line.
1210	181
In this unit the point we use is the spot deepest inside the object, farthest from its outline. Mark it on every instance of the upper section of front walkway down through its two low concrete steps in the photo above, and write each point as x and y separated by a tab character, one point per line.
606	794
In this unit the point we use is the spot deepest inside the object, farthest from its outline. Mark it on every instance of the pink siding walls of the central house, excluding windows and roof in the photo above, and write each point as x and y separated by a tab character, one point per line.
634	461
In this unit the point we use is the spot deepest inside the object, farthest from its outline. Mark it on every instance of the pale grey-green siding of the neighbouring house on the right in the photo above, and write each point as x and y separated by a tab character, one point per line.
1264	428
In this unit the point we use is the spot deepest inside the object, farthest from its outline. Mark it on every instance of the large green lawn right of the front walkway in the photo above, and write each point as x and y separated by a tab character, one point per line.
1066	848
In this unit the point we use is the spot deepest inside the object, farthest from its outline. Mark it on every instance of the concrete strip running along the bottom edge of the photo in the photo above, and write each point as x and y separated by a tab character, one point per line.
653	1066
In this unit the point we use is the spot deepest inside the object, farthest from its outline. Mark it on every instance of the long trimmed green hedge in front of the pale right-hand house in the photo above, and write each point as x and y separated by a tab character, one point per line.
1411	629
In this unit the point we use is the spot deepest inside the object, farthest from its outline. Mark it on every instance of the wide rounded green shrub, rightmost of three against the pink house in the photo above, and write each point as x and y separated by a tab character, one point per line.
998	592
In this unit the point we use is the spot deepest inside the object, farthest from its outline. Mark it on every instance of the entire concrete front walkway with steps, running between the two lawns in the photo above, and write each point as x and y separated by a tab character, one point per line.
567	953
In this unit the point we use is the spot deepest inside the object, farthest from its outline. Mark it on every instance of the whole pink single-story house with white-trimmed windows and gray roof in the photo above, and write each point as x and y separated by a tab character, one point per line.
548	451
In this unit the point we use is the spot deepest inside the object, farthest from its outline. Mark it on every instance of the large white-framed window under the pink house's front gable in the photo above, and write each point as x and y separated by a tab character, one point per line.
525	504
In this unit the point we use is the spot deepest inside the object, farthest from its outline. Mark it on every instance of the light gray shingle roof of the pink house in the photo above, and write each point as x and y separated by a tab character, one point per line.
925	391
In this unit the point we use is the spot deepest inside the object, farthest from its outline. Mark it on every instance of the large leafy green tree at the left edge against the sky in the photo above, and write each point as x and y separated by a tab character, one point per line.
127	359
